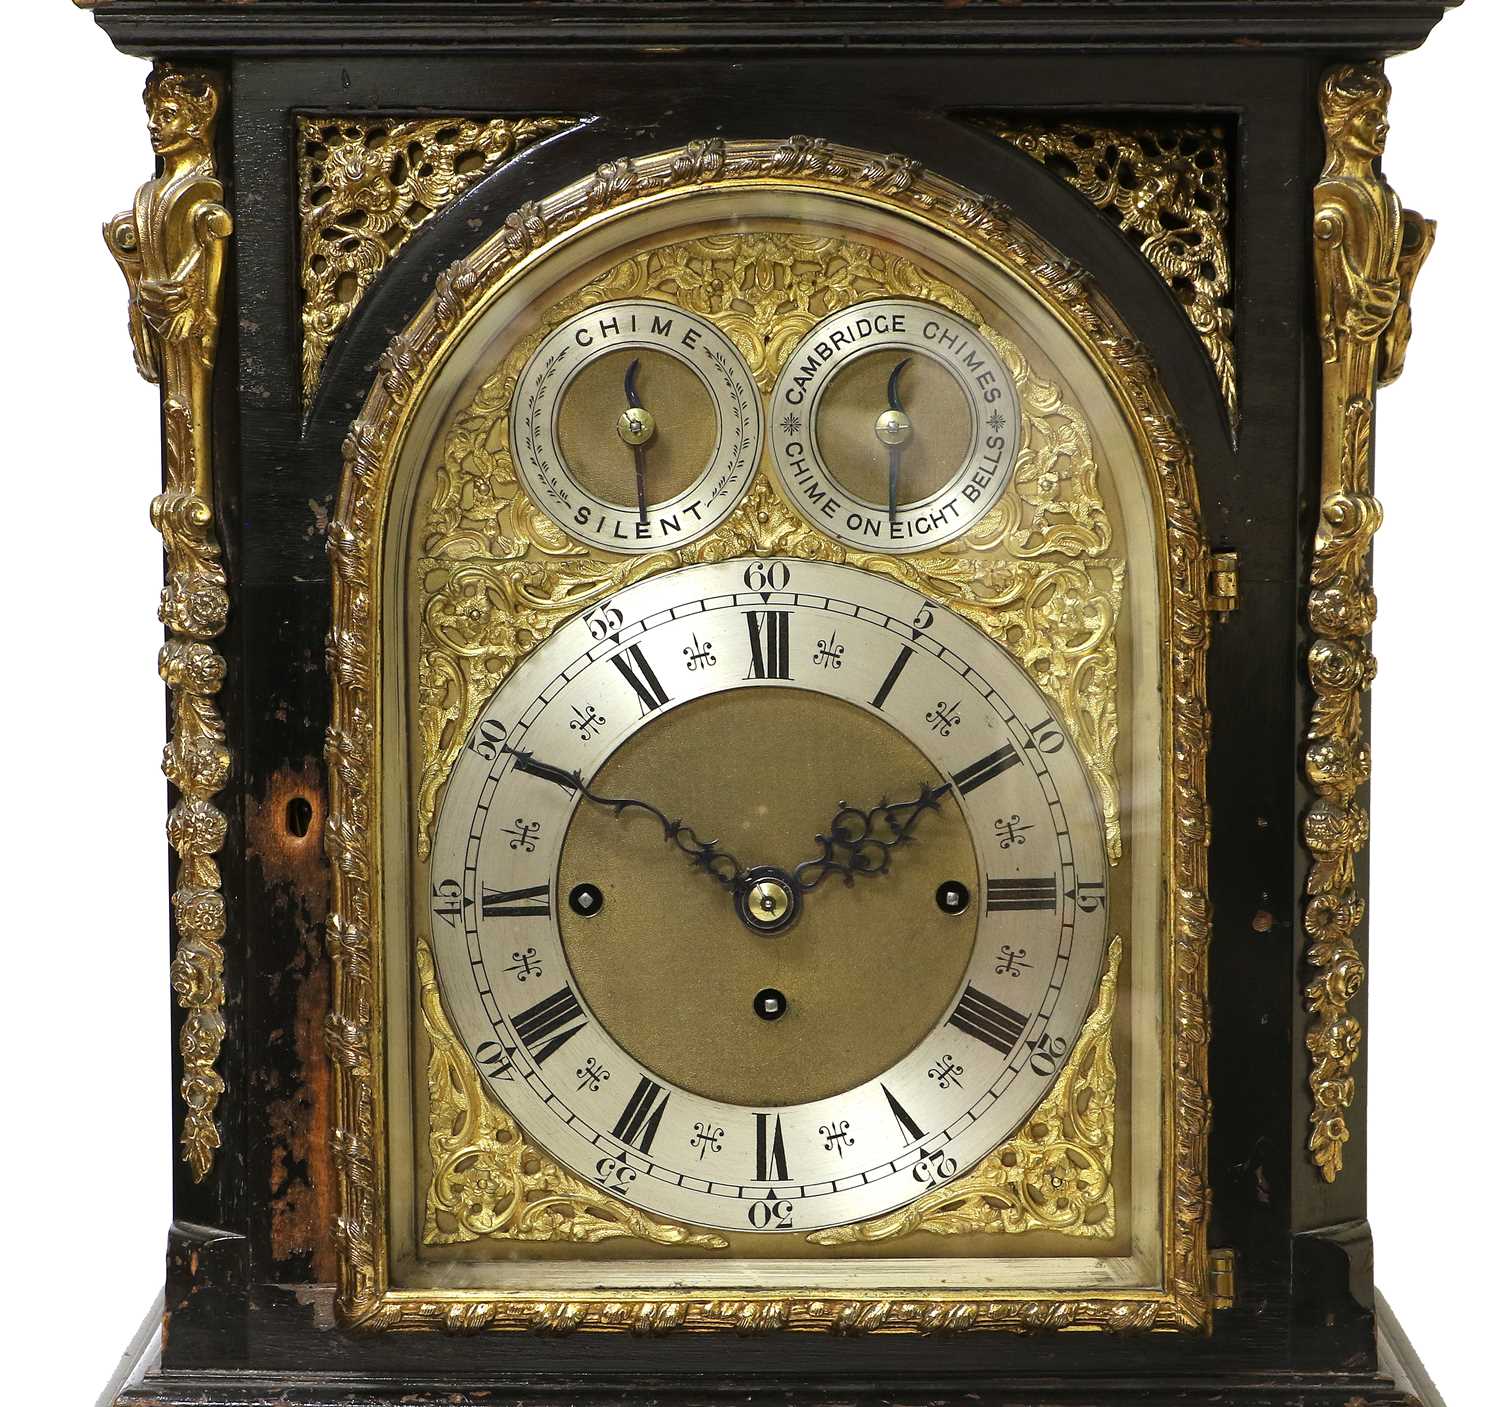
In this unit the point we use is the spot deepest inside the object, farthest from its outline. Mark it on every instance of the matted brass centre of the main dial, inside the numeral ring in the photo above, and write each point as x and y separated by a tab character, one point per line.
674	964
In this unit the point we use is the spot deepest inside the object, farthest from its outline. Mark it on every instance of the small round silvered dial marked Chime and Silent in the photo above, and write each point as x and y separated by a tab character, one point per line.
637	425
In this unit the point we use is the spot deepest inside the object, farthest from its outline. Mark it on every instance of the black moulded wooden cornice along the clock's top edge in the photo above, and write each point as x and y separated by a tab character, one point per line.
200	28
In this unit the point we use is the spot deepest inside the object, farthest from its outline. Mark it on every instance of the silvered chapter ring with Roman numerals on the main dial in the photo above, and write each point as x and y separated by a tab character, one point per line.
865	1145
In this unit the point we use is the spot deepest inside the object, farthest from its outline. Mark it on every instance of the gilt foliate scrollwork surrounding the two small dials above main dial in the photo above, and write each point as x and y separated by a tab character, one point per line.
499	574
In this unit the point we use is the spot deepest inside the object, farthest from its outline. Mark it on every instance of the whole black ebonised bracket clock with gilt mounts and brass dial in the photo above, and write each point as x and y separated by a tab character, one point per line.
767	631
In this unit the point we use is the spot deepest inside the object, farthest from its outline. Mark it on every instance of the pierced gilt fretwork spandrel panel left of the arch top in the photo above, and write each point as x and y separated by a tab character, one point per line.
365	185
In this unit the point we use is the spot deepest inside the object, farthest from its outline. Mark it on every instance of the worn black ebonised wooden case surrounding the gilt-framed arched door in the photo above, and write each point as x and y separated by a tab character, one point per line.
248	1295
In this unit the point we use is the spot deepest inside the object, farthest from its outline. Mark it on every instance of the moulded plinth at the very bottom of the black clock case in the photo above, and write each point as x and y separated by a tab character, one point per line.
1402	1382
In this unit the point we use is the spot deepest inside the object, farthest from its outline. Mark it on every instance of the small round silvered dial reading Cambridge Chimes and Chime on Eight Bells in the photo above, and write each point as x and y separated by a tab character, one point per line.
938	470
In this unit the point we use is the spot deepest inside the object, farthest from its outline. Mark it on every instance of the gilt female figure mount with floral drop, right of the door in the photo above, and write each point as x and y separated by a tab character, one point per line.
1367	256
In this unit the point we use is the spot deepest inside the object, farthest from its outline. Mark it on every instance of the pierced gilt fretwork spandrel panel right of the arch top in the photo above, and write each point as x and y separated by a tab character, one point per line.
1168	190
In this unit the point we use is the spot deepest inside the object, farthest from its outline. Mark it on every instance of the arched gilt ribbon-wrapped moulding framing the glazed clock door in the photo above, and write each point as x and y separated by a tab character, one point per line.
365	1297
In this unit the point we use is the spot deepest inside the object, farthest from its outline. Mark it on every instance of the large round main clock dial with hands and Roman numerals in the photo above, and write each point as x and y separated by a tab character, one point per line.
769	895
